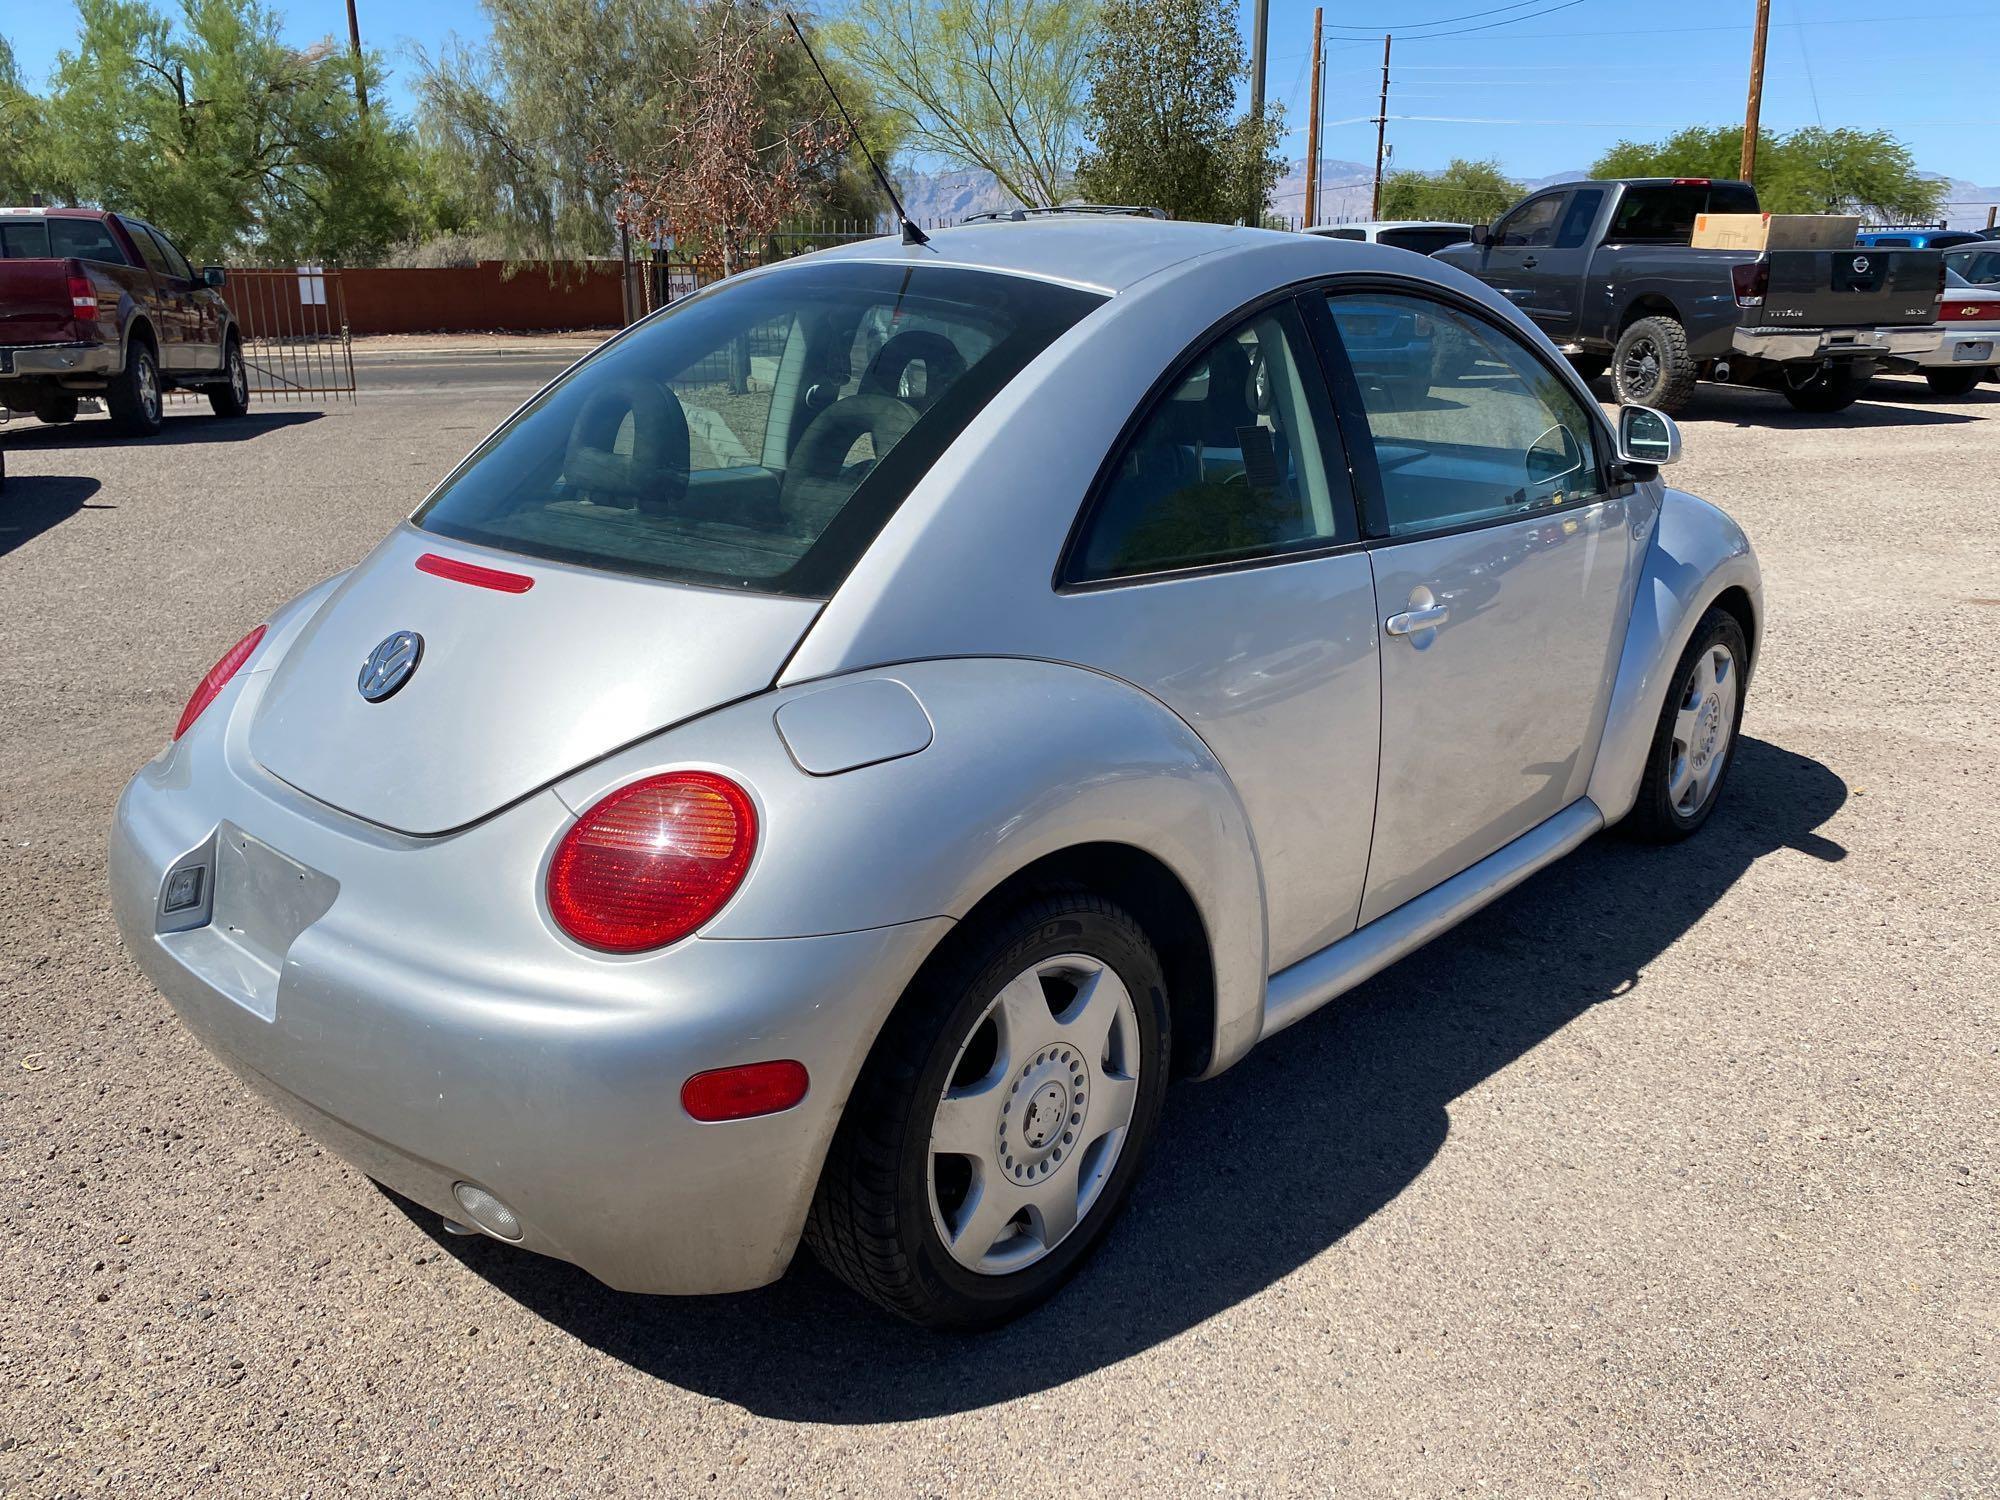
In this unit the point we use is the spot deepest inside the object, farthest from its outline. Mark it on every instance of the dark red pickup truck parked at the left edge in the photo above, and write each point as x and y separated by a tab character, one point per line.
103	305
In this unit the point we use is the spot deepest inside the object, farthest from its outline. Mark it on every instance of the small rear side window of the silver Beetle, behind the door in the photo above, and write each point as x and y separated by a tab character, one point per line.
1231	465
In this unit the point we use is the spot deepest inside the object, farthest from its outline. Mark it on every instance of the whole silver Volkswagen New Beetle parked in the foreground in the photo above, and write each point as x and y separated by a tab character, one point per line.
831	759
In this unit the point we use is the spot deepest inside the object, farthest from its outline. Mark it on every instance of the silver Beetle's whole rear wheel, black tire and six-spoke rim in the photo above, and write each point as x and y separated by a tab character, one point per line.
989	1021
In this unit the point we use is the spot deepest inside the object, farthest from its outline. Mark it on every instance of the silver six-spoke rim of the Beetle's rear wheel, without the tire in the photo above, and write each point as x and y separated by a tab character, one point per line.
1035	1115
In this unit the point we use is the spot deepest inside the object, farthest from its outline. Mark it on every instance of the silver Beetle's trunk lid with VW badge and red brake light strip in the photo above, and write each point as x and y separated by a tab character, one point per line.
513	685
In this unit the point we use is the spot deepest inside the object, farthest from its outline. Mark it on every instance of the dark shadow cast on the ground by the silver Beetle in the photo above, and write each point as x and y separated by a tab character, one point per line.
1257	1173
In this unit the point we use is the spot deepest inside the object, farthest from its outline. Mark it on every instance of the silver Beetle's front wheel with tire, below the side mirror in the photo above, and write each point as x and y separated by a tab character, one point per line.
1695	745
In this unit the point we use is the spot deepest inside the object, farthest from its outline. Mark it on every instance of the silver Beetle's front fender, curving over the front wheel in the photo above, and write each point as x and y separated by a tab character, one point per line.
1697	553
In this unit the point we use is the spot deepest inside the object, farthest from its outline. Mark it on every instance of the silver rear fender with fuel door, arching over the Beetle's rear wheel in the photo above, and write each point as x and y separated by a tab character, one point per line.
1027	759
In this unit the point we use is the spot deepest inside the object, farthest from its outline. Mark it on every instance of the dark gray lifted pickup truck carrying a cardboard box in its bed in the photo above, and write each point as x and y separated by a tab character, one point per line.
1609	273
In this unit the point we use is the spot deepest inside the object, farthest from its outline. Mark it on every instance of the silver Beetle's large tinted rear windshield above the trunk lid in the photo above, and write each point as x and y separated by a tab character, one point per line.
759	435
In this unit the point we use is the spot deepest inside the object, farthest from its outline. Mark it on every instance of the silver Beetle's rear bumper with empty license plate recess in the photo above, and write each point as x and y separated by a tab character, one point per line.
429	1053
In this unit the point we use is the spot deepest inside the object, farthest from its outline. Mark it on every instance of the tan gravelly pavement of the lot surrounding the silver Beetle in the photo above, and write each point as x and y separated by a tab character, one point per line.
1673	1173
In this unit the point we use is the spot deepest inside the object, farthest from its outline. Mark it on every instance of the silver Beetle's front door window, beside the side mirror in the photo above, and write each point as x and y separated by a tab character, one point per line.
1465	421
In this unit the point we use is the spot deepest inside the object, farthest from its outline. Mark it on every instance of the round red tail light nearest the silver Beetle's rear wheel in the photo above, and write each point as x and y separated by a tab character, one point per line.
653	861
